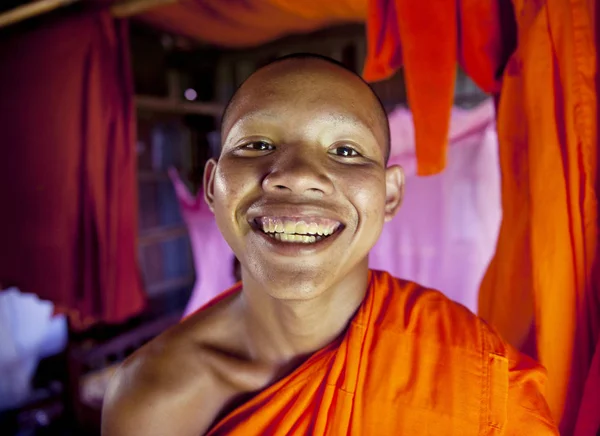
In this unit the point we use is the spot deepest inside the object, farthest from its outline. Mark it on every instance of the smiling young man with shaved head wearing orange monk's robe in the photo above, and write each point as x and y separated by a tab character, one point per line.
311	341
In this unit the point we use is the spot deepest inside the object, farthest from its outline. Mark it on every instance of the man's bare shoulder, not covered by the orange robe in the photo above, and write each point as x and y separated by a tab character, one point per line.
169	386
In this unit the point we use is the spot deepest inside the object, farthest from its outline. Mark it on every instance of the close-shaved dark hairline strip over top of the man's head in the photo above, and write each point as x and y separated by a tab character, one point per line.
286	67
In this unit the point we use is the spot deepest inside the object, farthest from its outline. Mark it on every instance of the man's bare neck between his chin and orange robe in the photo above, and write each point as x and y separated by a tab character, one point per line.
279	332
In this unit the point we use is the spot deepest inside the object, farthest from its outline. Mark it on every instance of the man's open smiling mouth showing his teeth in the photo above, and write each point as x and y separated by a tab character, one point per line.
301	230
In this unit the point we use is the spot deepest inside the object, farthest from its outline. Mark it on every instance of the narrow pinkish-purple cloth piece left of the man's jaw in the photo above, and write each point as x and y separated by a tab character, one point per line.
213	259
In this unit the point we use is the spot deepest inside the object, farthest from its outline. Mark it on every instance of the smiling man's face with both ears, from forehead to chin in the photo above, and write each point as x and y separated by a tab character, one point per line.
299	191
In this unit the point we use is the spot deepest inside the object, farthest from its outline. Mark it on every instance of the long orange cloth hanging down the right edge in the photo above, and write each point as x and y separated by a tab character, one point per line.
548	240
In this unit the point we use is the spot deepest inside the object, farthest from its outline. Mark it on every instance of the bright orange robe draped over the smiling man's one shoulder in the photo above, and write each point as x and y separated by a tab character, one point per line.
411	362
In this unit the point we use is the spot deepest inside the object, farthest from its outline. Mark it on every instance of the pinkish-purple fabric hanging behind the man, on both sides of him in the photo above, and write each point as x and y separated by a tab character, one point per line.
443	237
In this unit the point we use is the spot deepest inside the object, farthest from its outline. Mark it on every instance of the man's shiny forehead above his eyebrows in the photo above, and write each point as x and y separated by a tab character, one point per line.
298	90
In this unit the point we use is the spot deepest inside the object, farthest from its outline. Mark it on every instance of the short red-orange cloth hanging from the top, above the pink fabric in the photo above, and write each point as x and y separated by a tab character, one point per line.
428	39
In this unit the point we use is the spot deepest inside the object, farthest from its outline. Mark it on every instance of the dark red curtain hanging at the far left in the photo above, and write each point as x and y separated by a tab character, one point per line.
68	221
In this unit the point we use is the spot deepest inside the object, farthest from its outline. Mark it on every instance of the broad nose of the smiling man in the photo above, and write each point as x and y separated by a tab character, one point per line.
299	175
